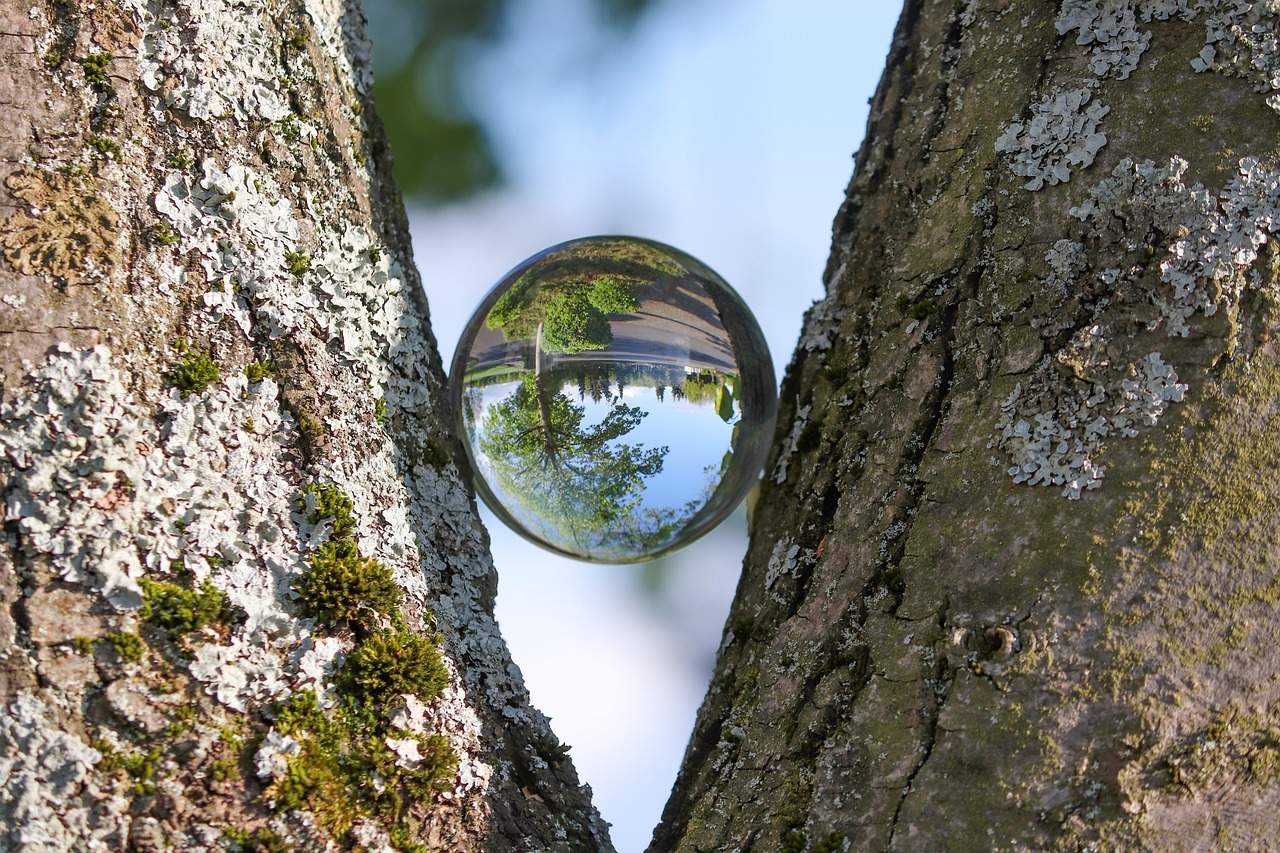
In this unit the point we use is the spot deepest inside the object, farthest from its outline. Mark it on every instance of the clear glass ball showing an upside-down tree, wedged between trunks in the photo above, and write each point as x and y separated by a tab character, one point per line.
616	399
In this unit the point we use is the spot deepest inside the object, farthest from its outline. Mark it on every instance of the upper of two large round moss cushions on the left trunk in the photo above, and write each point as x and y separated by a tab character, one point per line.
342	586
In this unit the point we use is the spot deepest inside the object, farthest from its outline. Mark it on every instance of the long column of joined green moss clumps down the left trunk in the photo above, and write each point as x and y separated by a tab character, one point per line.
346	768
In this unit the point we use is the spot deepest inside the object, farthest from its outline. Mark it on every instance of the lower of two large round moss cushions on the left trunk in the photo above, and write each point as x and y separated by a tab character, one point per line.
392	663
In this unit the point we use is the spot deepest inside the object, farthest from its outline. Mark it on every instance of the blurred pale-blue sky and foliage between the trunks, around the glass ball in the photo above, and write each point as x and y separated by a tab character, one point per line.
723	127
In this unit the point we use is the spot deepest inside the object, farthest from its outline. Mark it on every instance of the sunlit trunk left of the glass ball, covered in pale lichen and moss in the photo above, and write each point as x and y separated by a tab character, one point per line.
249	604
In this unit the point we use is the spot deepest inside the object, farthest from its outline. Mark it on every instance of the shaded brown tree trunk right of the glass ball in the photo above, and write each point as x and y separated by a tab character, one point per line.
1013	574
